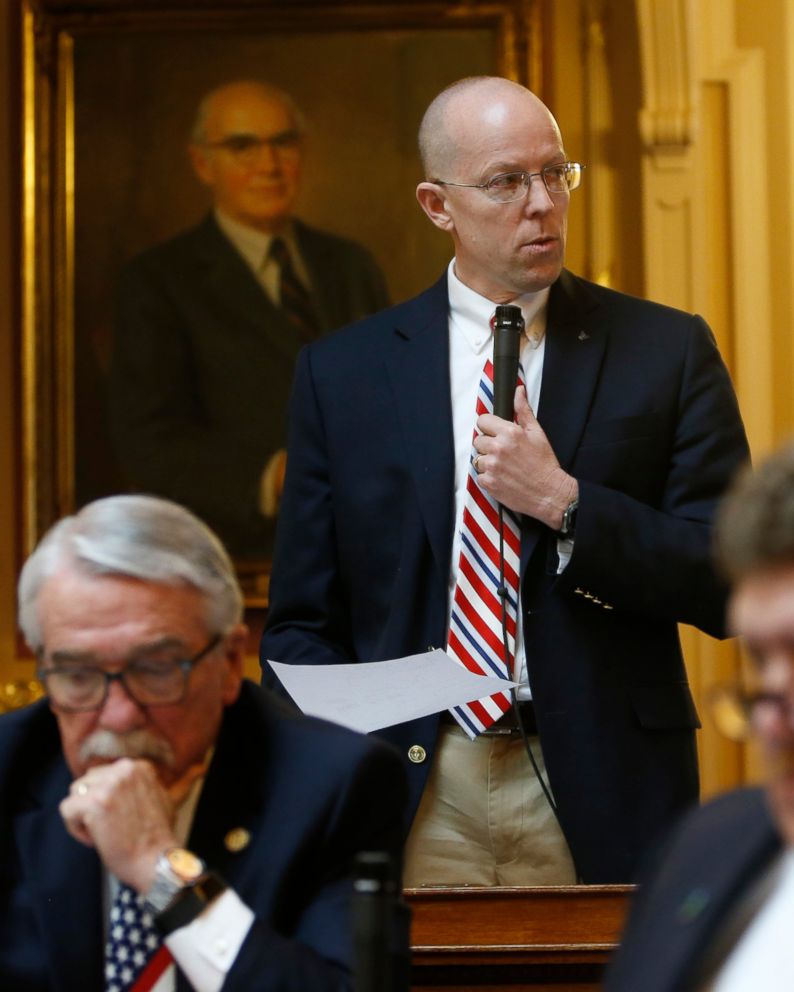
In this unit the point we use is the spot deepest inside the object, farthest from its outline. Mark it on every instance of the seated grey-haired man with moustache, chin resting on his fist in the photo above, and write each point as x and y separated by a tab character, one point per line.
285	804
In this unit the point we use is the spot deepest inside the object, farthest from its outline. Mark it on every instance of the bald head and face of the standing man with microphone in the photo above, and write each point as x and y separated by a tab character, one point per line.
475	130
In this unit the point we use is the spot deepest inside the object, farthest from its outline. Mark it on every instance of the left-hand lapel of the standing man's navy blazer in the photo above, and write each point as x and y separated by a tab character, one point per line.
417	368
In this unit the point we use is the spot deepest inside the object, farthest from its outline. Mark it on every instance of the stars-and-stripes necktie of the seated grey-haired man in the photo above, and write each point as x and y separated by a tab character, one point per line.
136	960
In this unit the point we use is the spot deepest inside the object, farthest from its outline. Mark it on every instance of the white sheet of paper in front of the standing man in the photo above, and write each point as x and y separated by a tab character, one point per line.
372	695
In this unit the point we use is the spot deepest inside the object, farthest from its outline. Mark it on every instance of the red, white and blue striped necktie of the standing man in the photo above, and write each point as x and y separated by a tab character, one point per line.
475	631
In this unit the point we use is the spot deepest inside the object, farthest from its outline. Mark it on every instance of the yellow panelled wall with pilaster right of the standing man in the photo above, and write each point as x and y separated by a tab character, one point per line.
717	122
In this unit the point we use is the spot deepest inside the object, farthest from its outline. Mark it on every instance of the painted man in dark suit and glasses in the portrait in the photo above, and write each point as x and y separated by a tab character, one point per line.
210	323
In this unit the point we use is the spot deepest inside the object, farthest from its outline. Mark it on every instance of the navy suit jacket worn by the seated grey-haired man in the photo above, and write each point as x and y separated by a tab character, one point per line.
311	794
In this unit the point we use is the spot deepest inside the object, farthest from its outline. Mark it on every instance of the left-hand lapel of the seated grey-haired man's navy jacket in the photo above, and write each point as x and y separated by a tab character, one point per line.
66	889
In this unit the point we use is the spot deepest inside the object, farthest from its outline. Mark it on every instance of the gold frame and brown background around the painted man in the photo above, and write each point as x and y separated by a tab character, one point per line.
85	59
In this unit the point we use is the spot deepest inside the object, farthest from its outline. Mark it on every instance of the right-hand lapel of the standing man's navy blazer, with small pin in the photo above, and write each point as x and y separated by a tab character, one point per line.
575	346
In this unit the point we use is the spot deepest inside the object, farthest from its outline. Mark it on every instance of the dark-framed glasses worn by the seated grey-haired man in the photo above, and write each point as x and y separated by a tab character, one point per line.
149	682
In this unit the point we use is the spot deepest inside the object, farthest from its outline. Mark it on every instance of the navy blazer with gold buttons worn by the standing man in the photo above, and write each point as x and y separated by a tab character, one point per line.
638	405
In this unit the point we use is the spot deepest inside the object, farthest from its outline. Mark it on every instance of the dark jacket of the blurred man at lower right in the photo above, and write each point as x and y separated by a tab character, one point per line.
701	874
